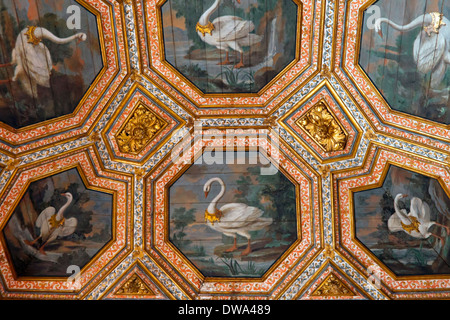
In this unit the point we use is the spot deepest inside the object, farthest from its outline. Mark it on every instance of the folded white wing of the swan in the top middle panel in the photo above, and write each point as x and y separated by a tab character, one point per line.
231	28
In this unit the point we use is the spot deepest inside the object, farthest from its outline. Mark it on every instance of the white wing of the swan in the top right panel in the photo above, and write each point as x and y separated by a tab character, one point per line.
429	51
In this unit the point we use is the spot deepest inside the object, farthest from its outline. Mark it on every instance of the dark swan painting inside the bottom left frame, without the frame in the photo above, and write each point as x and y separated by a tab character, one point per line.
58	223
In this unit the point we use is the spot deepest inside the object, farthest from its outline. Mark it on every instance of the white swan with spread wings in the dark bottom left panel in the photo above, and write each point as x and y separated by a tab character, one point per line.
53	225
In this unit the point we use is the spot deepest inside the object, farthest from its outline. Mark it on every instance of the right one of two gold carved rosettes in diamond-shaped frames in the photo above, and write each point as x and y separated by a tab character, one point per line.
324	128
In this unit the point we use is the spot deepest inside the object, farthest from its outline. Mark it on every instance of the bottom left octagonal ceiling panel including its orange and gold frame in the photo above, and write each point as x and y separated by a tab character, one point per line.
48	233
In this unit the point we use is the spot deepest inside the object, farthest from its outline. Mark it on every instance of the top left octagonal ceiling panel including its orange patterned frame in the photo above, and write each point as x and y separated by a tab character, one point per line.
85	73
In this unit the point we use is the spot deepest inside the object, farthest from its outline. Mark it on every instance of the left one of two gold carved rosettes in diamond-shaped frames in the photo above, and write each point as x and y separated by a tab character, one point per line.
139	130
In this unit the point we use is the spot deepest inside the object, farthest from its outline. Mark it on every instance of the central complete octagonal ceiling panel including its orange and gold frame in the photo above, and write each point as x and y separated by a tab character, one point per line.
266	257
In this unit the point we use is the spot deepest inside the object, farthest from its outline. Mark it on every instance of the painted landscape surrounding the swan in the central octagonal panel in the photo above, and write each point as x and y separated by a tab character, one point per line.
205	247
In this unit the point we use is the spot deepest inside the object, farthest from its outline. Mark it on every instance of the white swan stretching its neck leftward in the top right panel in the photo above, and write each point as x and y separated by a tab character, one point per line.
432	45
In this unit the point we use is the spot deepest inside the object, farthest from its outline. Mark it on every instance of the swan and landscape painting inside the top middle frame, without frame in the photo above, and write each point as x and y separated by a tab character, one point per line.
229	46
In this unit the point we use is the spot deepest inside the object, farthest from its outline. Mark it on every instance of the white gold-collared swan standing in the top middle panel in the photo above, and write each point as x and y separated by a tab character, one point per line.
227	32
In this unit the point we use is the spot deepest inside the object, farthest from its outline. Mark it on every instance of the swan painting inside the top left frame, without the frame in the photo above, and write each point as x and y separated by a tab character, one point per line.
45	66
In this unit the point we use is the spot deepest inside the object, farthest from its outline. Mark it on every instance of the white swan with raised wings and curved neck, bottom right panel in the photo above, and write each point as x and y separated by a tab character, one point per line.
417	222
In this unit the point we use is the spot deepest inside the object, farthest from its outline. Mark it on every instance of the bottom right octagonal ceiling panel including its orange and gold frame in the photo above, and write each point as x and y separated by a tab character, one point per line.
388	247
